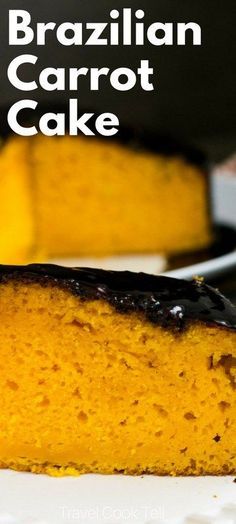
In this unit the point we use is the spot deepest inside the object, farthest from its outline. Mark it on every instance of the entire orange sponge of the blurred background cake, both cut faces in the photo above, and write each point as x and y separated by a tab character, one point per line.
77	196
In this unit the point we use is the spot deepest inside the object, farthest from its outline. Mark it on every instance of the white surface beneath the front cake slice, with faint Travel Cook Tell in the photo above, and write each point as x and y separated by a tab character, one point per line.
89	499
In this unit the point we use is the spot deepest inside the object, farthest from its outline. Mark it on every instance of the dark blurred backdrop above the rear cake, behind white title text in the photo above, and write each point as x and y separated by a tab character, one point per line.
195	90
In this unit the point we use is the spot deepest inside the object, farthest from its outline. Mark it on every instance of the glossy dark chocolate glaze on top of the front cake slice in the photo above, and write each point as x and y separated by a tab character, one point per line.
164	301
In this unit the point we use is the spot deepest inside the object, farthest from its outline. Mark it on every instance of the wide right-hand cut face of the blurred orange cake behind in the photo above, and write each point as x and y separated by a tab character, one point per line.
109	198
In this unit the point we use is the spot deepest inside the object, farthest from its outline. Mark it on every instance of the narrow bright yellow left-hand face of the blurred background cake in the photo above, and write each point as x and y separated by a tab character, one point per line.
16	209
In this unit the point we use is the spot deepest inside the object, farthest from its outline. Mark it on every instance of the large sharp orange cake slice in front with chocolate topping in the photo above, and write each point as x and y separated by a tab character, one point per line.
115	372
